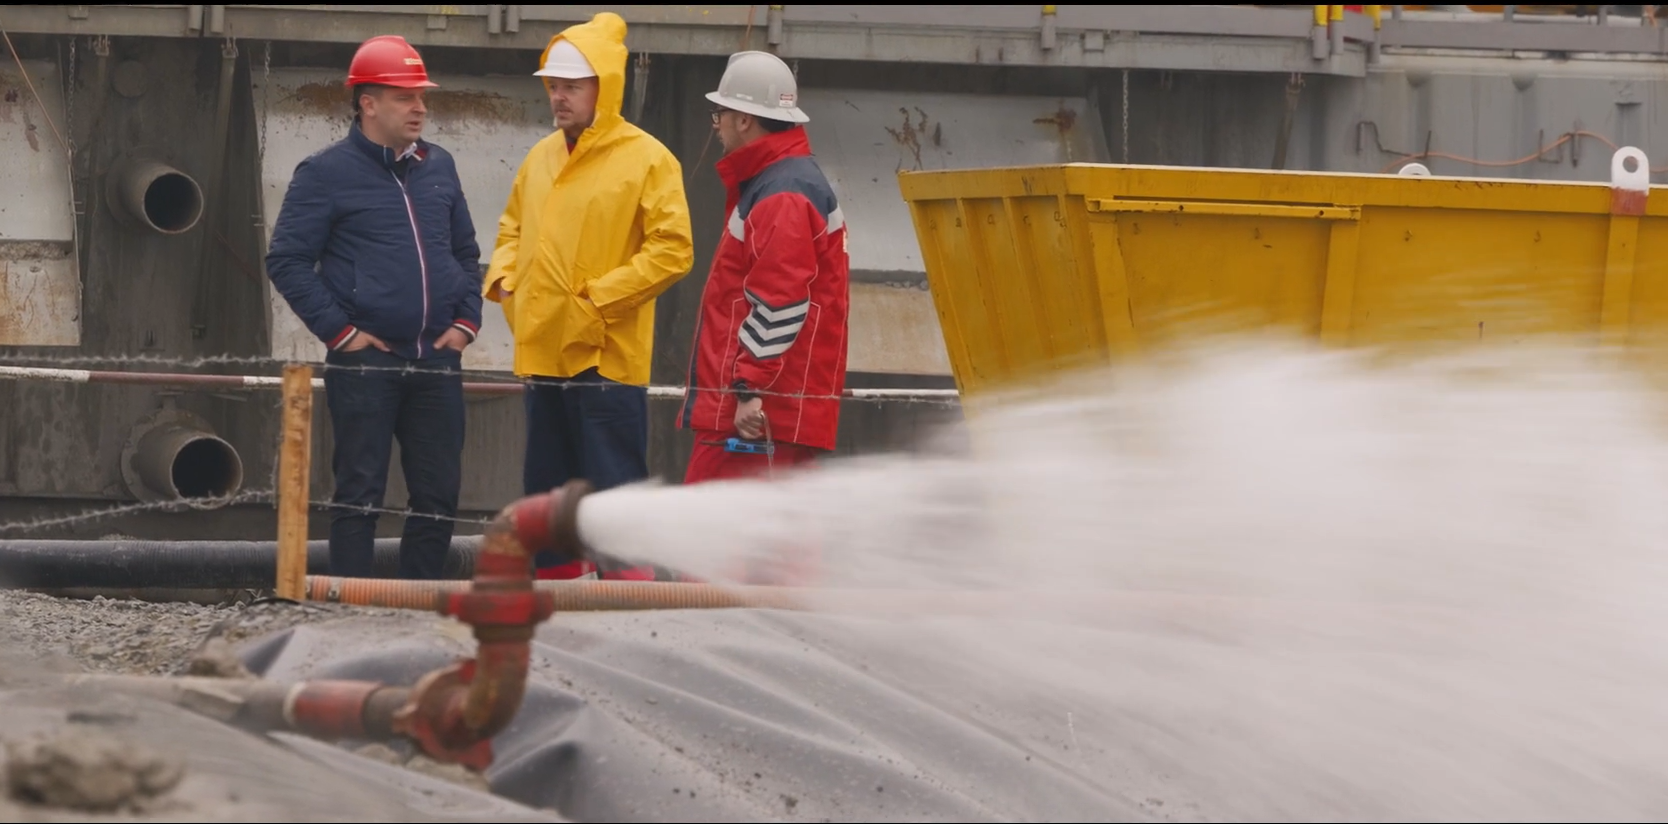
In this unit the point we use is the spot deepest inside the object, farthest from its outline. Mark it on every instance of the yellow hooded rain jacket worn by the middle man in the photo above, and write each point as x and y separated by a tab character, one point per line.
590	239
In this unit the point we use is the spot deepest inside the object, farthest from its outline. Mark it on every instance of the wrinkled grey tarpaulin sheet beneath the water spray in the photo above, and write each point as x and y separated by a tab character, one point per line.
745	716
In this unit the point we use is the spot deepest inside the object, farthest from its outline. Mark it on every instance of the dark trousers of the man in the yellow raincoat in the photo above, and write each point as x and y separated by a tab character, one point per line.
588	428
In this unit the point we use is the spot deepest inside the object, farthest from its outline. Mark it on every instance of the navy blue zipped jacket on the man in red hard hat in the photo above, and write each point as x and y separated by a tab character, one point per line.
358	248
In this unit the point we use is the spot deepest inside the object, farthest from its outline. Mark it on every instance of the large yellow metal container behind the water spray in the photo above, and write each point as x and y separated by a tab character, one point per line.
1038	269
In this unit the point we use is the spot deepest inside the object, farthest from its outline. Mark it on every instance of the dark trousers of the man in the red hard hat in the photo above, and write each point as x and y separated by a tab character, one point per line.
421	404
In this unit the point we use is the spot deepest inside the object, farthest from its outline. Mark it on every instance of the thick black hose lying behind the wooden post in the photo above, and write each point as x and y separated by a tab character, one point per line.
186	565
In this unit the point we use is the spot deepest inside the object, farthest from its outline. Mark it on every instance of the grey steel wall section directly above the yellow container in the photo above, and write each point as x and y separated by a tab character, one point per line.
1532	119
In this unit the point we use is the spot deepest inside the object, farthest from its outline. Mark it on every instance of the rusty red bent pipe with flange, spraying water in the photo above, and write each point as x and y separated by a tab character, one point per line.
453	713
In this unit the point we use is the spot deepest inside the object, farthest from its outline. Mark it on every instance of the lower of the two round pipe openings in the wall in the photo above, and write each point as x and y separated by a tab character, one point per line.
178	460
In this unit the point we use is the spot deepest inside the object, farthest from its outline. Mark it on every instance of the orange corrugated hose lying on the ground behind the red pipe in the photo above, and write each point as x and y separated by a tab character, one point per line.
571	596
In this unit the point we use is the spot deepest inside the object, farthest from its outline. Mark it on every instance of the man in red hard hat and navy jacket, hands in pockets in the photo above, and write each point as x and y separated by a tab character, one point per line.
376	253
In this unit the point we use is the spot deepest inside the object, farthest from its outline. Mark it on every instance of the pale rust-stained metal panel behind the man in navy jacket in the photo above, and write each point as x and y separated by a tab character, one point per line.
486	123
